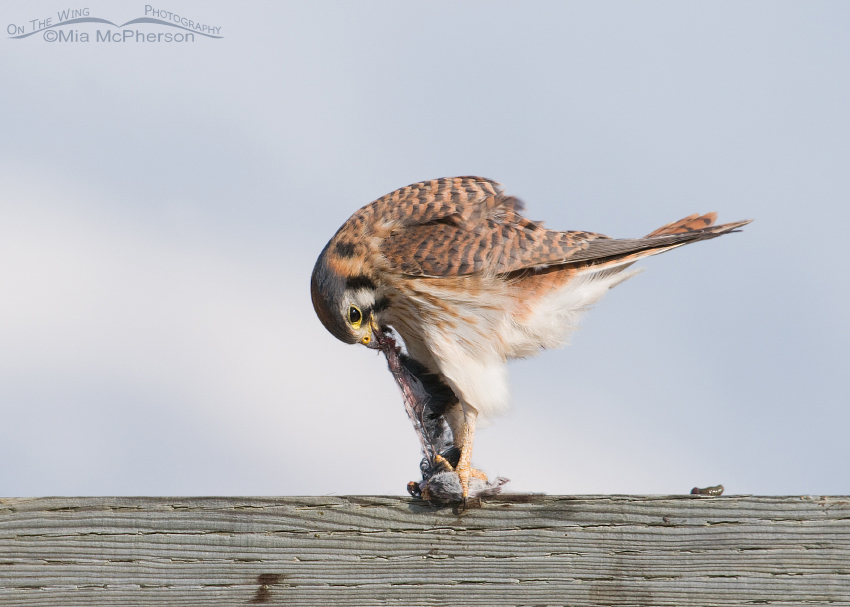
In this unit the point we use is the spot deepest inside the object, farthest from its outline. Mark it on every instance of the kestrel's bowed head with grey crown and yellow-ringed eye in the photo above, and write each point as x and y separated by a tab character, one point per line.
347	304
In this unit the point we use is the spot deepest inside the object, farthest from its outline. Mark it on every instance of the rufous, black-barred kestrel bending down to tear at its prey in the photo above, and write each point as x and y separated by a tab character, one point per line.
469	283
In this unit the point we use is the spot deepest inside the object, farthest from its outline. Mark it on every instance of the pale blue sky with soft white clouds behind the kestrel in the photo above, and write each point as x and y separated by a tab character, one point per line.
162	205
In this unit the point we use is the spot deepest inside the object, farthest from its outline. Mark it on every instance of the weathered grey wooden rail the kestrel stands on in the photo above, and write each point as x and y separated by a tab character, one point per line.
540	550
